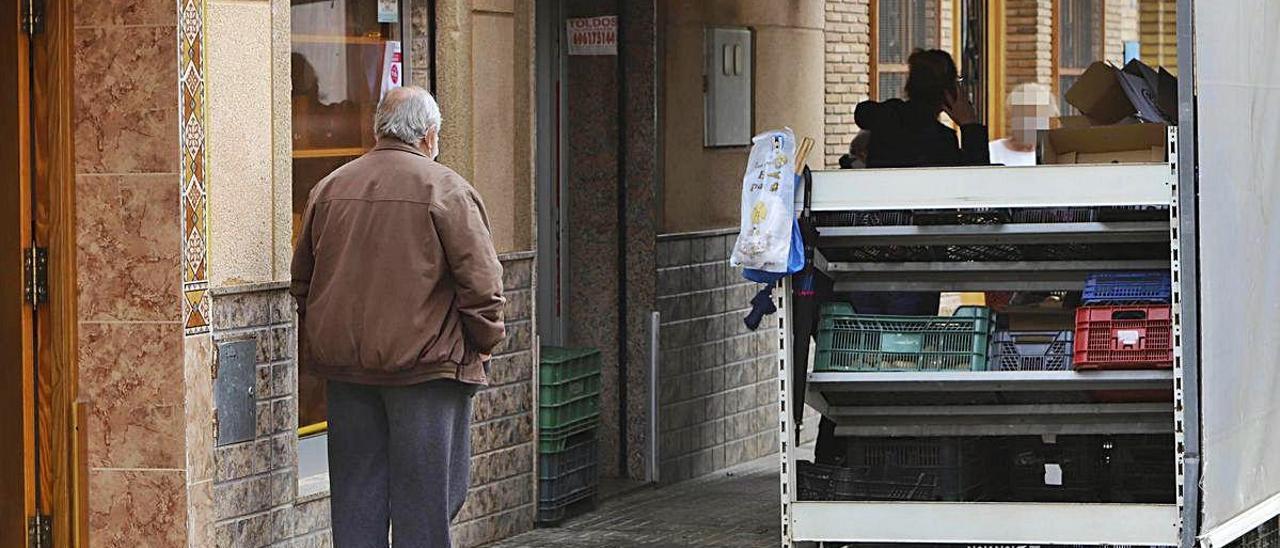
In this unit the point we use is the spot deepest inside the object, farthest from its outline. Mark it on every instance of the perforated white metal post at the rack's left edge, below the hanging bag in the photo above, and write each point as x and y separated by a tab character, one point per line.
787	426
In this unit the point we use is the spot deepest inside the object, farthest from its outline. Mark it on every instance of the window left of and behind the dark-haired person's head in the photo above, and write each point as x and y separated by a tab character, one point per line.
903	28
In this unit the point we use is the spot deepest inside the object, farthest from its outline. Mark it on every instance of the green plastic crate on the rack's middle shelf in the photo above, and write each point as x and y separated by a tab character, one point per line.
853	342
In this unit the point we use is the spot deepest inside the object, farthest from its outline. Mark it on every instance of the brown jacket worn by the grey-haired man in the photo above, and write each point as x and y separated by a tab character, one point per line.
396	276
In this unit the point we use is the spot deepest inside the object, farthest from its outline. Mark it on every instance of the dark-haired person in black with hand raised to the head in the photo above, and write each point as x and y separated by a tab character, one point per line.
908	134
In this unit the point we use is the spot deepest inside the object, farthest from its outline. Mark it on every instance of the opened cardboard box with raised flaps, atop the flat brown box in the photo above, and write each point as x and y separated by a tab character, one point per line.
1108	95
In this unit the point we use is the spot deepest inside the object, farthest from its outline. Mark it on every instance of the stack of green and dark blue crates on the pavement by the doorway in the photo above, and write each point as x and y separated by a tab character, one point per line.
569	407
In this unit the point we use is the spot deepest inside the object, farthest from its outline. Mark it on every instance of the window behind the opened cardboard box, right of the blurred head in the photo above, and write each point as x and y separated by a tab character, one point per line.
1080	43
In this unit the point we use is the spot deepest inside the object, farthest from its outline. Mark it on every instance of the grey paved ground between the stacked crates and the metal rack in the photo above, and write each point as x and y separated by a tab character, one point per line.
737	508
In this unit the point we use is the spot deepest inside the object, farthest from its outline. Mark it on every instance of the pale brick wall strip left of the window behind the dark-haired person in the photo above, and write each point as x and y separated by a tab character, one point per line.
848	70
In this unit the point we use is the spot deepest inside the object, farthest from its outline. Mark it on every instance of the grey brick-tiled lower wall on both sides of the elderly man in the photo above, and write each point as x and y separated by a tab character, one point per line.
255	491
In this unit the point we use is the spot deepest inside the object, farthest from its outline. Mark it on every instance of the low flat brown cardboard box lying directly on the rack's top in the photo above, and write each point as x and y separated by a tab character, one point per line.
1133	144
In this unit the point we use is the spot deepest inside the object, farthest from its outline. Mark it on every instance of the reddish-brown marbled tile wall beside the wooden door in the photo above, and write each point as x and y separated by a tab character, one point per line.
129	267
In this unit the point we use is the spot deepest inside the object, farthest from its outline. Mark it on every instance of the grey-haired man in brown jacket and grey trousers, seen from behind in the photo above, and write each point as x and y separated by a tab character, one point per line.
400	299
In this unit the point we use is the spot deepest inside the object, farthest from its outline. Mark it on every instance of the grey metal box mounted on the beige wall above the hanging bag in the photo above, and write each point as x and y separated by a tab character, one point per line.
728	86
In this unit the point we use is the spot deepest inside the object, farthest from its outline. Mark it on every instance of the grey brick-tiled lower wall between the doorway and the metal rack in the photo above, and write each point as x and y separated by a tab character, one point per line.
719	398
